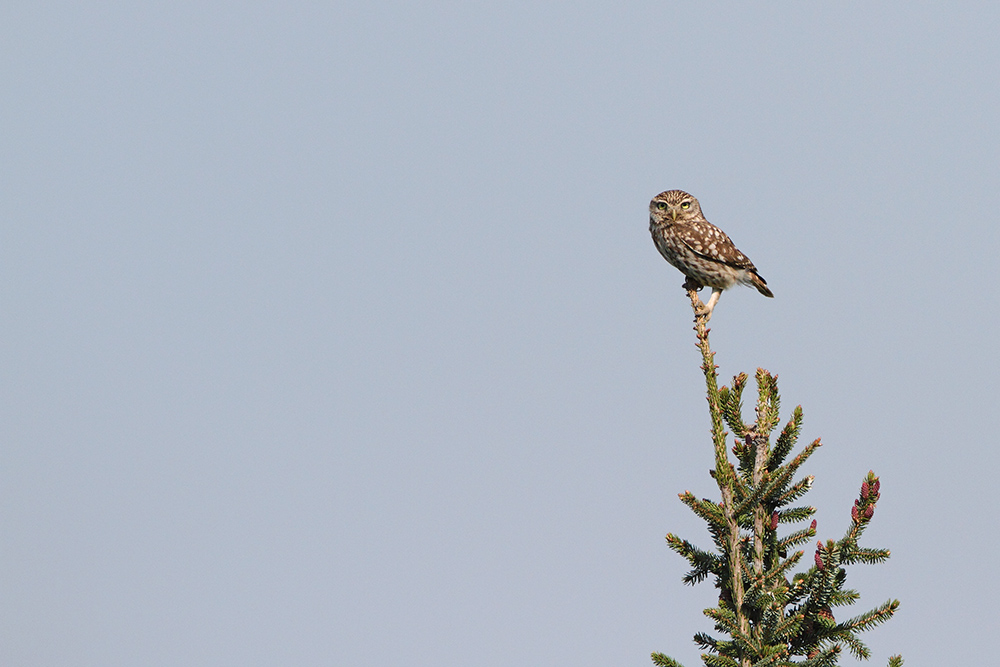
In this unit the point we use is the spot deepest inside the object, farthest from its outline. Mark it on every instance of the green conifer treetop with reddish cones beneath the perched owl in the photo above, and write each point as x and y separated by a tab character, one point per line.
767	614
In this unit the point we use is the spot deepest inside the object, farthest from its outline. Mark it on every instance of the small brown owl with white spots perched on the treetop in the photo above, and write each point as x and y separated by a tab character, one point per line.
698	248
